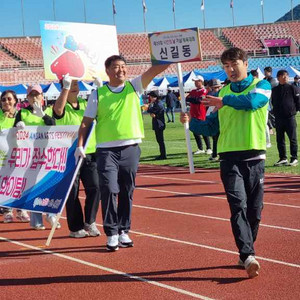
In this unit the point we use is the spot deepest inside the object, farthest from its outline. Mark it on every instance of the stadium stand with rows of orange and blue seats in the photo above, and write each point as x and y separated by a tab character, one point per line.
21	59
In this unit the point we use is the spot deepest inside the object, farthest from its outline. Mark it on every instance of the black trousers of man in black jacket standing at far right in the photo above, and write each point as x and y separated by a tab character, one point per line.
288	126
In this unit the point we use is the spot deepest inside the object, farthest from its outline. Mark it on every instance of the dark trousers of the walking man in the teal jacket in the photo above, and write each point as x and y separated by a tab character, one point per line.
244	186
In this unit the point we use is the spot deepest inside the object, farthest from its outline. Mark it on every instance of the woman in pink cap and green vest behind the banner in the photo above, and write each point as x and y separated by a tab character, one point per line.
36	114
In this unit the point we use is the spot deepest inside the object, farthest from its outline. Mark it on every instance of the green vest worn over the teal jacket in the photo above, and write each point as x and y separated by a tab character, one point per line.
241	130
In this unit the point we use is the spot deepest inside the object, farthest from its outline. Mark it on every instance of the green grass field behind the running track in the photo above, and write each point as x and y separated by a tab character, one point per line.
177	151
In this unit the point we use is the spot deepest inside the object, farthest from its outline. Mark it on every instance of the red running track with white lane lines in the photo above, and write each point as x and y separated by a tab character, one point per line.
183	247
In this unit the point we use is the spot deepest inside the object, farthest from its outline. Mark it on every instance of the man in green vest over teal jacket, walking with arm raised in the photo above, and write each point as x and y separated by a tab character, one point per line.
240	116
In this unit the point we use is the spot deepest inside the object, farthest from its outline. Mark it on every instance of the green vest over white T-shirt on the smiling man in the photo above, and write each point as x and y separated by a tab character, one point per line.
119	115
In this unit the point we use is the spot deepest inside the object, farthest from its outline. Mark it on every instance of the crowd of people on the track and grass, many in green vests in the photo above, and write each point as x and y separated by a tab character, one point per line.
237	115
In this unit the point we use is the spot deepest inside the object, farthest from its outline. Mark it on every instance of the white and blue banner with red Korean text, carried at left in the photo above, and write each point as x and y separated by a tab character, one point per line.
37	165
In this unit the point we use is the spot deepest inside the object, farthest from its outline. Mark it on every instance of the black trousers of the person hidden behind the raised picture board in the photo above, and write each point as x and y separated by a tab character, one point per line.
89	177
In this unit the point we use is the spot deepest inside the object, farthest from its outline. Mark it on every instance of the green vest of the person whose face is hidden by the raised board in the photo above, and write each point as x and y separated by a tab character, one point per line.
74	117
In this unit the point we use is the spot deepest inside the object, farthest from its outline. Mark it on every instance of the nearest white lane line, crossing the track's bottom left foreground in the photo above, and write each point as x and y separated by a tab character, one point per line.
109	270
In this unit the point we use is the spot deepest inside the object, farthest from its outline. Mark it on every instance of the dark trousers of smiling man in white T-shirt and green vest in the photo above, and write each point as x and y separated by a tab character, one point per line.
117	169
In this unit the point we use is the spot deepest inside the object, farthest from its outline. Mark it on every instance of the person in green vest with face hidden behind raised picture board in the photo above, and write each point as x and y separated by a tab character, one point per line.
69	110
